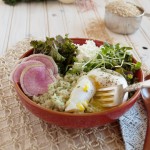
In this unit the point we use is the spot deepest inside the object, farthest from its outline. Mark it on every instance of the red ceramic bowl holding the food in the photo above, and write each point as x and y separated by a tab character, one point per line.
70	120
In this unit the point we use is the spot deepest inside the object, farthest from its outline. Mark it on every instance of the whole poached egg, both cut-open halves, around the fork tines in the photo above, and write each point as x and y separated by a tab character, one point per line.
87	85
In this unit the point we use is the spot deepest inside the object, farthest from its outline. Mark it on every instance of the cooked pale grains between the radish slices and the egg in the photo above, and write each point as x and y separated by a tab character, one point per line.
58	93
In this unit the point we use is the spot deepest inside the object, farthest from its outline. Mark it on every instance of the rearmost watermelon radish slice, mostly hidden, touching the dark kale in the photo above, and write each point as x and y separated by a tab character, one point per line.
47	60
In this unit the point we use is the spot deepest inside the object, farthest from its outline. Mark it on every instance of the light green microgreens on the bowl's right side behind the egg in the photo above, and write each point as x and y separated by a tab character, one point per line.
112	57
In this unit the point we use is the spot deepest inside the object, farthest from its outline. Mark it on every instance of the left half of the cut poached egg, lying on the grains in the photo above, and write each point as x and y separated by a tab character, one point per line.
81	95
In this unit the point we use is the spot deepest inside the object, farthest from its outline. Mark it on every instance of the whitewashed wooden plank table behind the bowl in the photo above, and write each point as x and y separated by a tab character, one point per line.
51	18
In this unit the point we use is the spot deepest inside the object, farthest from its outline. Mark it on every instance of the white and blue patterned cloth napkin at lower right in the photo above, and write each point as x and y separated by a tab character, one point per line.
133	126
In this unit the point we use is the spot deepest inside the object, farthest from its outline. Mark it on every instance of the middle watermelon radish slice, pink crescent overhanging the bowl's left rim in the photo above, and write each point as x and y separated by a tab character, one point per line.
16	73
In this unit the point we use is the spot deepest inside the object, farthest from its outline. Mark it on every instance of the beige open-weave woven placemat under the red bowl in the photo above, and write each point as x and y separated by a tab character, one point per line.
21	130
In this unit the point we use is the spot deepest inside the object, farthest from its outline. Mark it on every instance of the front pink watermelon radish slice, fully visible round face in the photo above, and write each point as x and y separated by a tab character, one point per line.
35	79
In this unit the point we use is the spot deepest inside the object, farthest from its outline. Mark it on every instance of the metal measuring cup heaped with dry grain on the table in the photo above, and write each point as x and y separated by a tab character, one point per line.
123	17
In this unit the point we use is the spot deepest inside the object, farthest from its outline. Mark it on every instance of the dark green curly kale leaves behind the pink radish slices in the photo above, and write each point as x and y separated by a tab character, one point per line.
61	49
